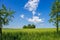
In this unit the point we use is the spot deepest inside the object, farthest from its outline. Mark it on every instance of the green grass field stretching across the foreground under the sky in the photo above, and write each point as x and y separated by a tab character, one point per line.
30	34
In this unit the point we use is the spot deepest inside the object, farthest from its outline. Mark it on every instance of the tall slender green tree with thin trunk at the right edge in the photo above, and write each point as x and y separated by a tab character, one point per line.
55	14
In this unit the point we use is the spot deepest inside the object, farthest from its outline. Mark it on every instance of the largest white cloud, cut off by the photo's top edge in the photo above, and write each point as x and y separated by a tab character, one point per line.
31	5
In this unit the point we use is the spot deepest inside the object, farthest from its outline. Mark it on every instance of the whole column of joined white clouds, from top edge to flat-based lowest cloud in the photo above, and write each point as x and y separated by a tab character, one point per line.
31	6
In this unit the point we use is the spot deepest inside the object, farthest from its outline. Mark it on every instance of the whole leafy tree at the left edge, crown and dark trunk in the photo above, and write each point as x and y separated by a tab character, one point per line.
5	17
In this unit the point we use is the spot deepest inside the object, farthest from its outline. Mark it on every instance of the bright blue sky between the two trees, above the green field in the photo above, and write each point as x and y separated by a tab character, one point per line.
22	15
